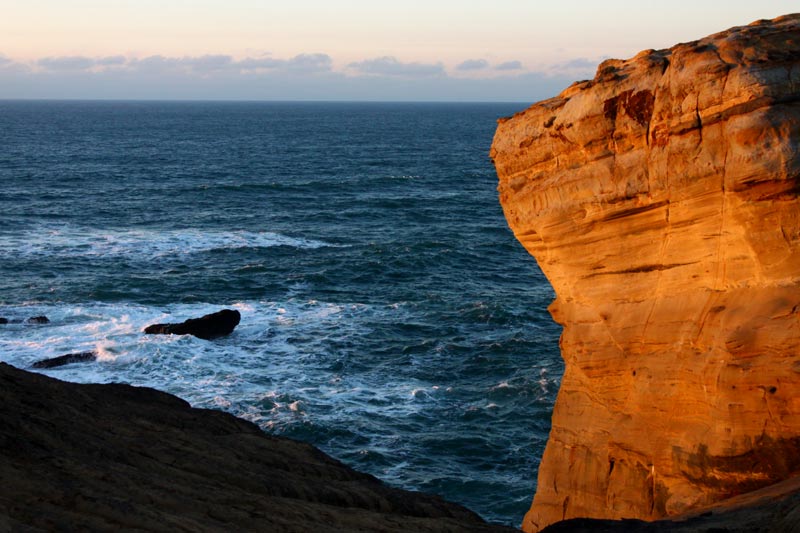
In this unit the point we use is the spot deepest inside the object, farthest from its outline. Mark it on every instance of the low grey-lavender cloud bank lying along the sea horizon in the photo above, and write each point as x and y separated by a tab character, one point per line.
307	76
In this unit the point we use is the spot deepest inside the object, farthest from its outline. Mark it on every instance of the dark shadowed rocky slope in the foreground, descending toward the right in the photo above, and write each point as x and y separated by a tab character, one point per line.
115	457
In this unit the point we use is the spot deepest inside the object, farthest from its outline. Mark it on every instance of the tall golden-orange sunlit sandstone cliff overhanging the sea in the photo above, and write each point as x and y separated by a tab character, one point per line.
662	201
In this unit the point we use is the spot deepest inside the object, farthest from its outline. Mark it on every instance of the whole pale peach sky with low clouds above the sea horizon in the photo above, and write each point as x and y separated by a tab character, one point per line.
371	50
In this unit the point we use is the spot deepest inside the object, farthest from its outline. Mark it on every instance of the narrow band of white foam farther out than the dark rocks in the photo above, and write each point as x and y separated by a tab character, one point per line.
73	241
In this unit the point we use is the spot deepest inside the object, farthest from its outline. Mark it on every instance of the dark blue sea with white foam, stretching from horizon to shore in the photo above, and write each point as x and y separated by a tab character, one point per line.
388	314
